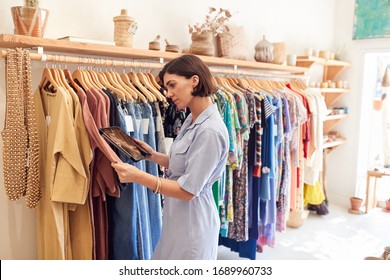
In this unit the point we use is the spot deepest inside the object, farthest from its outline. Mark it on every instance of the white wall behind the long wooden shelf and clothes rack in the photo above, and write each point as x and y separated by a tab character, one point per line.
299	23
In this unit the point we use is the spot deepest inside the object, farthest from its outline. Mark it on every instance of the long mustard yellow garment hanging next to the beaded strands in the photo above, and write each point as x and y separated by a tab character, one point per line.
64	178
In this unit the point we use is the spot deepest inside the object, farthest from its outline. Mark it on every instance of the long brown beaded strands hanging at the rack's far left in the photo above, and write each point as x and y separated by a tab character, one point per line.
20	141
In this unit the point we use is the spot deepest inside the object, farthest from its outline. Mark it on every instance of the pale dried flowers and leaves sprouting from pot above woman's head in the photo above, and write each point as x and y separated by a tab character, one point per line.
215	22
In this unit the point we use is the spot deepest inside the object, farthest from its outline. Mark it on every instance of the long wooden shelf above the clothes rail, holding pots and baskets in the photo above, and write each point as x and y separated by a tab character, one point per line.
64	46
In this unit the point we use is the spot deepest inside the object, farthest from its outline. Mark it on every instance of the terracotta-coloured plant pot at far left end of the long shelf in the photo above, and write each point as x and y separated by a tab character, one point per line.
30	19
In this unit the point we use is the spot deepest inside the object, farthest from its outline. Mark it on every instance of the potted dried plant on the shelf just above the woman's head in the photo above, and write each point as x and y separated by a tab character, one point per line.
202	33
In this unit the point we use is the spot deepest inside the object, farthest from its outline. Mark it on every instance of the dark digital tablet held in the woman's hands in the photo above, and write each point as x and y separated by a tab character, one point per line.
124	143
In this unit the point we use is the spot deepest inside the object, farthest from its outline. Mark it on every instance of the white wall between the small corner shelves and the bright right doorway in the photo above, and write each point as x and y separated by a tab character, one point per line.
347	166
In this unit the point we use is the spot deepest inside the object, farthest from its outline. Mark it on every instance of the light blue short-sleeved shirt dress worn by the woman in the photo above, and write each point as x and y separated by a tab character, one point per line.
197	159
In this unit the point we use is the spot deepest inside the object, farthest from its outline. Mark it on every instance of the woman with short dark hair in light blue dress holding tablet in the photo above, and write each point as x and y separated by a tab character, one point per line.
196	160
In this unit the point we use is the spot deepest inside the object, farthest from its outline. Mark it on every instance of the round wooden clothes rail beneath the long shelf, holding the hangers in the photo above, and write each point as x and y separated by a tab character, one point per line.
96	61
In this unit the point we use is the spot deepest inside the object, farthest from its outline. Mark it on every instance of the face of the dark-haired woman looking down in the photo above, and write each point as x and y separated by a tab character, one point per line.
179	89
